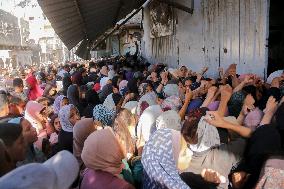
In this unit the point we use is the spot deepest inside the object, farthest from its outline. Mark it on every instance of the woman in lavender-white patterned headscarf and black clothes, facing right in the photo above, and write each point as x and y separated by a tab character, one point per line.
68	116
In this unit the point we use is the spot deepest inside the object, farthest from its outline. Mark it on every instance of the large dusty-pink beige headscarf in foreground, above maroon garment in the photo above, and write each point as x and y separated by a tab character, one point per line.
102	151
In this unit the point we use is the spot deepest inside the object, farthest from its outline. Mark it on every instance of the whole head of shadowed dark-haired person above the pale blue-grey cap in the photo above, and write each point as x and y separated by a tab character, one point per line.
12	136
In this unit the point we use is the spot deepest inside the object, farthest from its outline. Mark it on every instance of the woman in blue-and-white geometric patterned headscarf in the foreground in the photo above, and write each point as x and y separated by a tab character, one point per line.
164	156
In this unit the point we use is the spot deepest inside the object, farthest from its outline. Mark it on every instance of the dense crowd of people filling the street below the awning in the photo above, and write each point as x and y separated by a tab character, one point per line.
121	123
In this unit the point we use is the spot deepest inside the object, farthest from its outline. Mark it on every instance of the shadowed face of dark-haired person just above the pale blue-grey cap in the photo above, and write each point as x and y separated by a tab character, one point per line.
18	149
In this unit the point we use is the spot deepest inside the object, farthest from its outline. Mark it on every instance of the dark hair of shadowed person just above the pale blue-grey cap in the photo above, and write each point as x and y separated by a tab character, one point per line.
10	132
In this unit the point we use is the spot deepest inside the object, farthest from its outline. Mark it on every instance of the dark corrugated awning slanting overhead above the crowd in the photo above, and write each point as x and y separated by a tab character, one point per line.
85	20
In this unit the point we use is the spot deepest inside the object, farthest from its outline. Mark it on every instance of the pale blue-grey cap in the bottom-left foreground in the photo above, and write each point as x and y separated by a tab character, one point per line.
58	172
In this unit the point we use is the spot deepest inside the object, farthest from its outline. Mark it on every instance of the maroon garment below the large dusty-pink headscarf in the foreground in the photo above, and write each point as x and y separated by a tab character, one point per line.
99	179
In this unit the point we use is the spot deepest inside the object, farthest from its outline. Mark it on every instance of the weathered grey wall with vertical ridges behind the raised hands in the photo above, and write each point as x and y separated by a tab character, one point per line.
219	33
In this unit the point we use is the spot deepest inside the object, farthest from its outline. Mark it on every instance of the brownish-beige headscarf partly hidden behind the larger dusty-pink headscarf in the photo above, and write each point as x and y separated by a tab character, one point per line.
81	131
